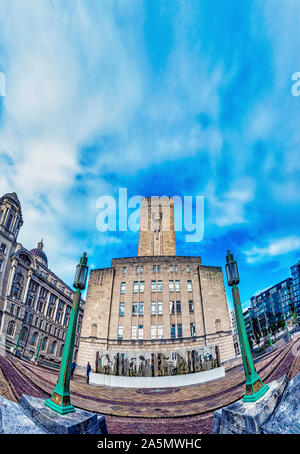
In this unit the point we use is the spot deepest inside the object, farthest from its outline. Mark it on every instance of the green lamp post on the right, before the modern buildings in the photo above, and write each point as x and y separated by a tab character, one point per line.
255	388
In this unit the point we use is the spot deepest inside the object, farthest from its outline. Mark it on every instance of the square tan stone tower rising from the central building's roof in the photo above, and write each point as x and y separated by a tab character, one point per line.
157	231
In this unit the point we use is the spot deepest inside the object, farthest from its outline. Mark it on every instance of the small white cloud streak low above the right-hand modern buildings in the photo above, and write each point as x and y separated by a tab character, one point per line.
274	248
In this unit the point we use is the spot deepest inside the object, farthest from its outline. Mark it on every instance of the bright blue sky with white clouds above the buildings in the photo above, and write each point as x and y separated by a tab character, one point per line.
162	98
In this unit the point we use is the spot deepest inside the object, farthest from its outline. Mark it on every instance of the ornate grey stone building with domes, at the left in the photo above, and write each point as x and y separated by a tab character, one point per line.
35	304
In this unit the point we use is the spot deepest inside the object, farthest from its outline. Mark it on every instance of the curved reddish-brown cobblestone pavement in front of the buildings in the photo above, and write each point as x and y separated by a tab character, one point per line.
173	410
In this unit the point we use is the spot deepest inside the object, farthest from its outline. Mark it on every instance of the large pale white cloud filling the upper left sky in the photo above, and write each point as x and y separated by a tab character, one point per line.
69	78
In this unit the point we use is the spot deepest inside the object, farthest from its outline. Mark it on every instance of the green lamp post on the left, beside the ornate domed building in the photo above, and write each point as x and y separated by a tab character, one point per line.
60	399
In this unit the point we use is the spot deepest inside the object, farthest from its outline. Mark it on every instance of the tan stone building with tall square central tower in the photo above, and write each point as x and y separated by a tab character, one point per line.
157	301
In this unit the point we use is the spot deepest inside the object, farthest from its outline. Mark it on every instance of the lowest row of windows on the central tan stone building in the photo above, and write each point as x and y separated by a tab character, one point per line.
157	332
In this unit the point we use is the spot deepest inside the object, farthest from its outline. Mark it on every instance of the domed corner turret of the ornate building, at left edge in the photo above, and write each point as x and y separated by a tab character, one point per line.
10	215
